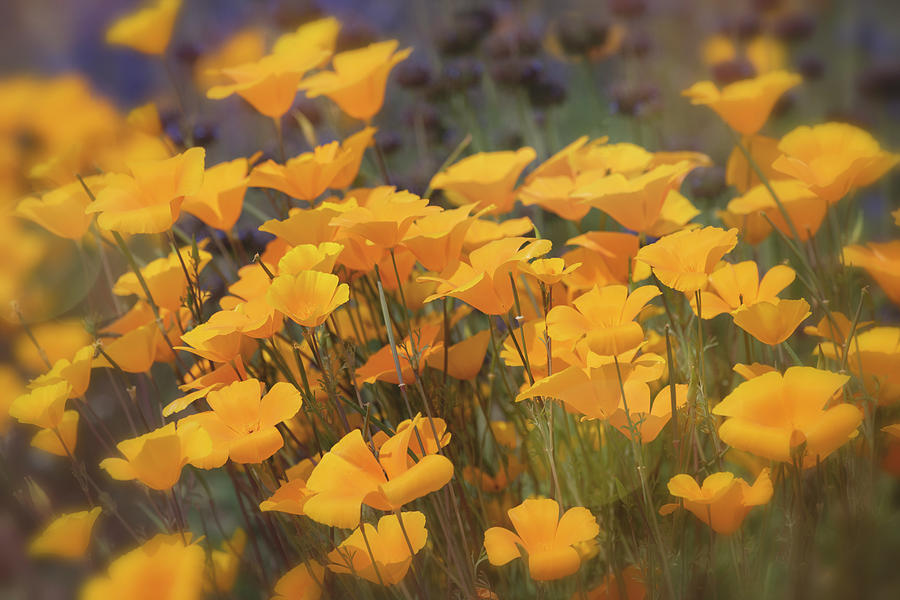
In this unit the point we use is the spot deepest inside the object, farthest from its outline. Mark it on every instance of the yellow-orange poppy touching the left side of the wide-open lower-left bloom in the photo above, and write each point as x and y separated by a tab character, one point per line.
156	458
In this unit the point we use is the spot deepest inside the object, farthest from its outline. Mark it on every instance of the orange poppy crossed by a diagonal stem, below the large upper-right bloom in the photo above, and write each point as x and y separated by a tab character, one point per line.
805	210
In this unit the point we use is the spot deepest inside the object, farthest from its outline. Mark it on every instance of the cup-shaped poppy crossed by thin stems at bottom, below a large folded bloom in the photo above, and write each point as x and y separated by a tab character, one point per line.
383	555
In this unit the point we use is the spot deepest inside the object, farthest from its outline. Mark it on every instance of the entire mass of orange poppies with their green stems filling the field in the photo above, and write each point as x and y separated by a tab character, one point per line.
400	393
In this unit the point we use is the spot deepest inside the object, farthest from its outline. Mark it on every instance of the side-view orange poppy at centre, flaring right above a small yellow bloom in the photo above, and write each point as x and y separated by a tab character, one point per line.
484	282
